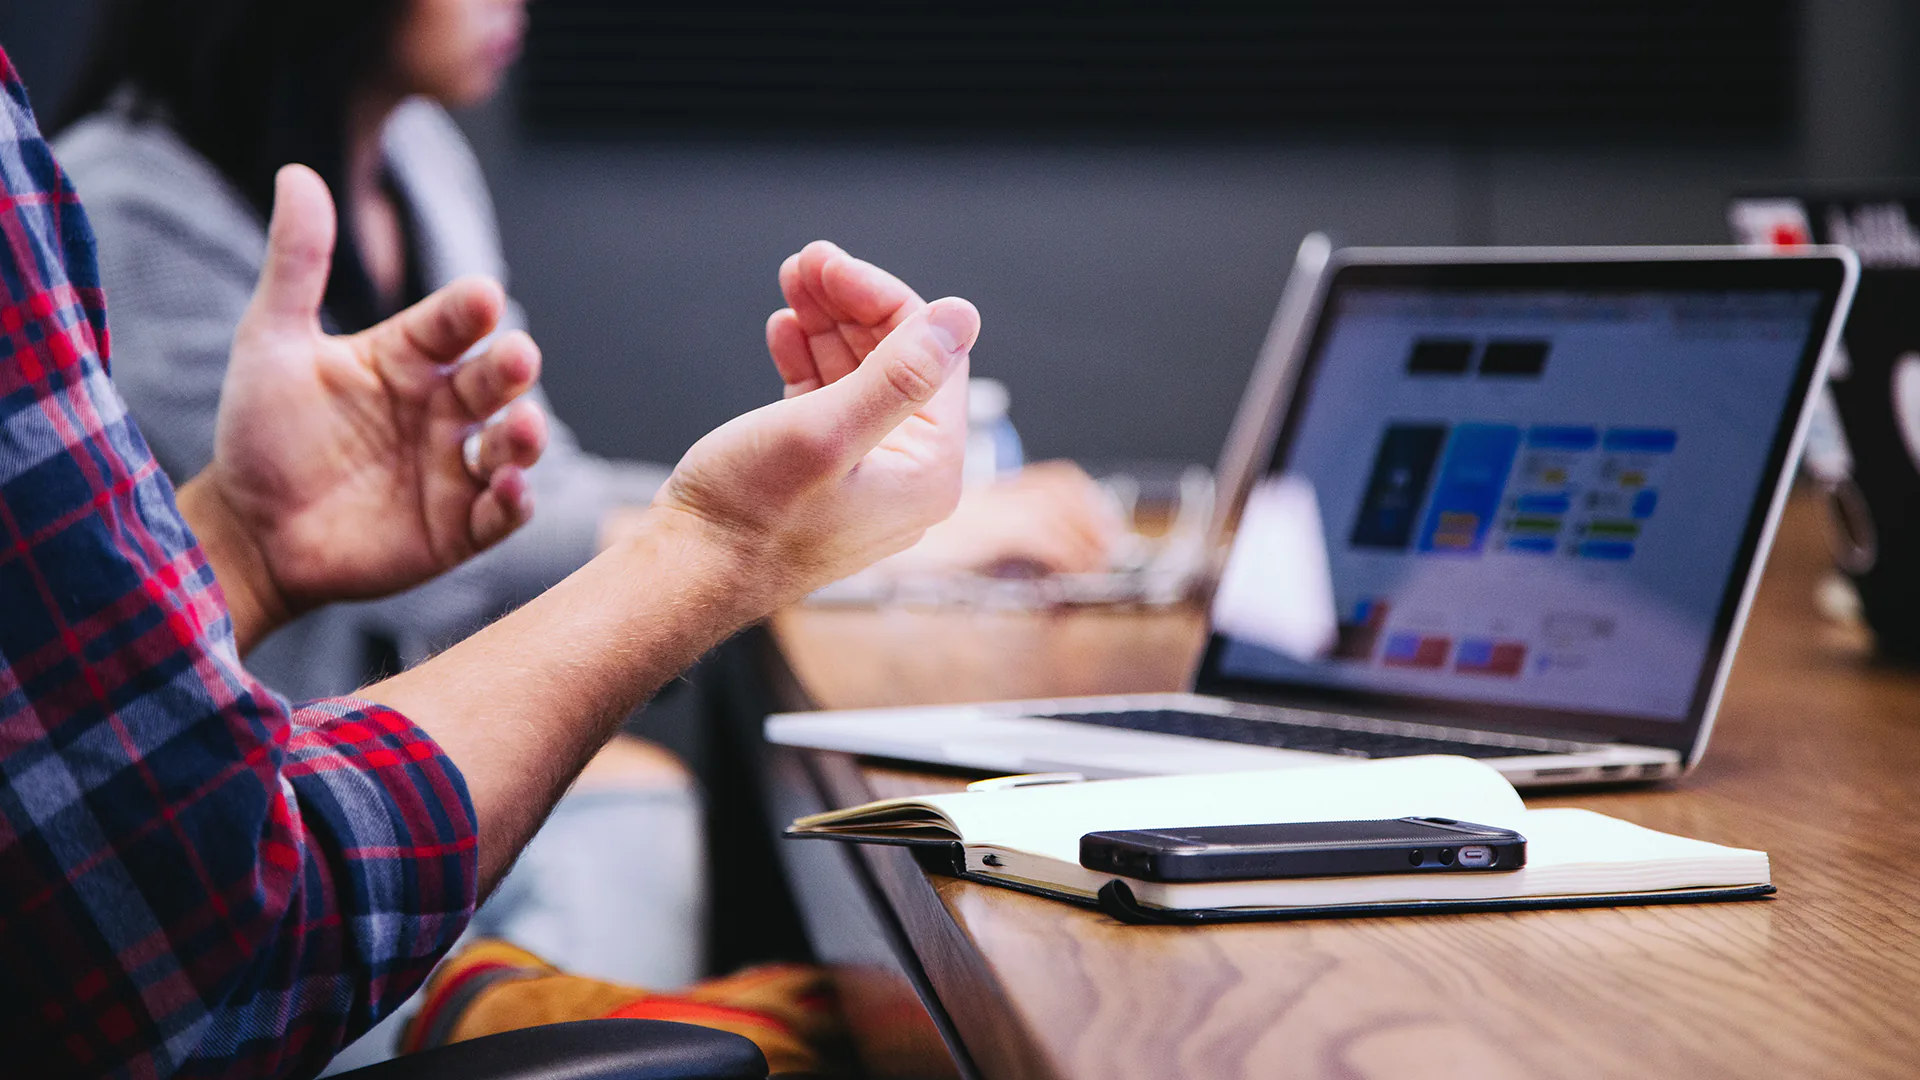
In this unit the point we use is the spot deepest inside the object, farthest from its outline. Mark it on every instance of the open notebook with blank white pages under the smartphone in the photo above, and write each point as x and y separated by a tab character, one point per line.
1028	839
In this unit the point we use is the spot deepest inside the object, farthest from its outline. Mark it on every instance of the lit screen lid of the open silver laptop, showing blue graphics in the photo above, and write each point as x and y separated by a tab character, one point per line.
1547	481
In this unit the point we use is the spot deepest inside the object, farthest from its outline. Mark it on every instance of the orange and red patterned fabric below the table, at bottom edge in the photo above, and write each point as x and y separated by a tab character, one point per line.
786	1010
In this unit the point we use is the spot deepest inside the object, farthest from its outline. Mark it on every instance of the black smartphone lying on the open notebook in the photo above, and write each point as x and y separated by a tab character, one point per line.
1305	850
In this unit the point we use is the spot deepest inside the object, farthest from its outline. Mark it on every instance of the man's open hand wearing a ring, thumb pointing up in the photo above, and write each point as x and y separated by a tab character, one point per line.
347	458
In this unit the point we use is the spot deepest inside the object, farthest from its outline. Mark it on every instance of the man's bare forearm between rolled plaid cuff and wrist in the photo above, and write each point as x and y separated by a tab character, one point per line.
525	704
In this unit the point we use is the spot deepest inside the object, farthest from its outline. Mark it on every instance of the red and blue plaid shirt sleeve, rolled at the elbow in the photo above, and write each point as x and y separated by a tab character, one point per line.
195	877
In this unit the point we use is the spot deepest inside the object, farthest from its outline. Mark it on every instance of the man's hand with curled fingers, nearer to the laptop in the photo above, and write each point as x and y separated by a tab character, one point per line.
867	449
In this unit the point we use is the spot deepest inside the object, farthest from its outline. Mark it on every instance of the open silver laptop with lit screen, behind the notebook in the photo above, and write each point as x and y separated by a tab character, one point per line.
1545	485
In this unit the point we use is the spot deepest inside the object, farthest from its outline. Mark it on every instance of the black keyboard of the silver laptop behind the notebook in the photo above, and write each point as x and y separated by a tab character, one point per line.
1318	739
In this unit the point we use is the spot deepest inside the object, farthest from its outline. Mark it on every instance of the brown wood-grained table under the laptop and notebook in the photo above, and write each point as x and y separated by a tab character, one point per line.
1815	760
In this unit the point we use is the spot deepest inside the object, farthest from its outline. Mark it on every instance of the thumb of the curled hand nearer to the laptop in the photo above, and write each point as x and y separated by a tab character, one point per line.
901	376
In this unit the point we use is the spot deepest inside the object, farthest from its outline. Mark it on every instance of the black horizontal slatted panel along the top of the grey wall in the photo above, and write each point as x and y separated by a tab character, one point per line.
1163	68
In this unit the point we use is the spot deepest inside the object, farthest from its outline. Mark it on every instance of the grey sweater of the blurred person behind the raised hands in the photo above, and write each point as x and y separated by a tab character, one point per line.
180	253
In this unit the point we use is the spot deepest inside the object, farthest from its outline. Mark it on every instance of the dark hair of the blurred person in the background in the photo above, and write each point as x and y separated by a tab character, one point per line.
252	86
